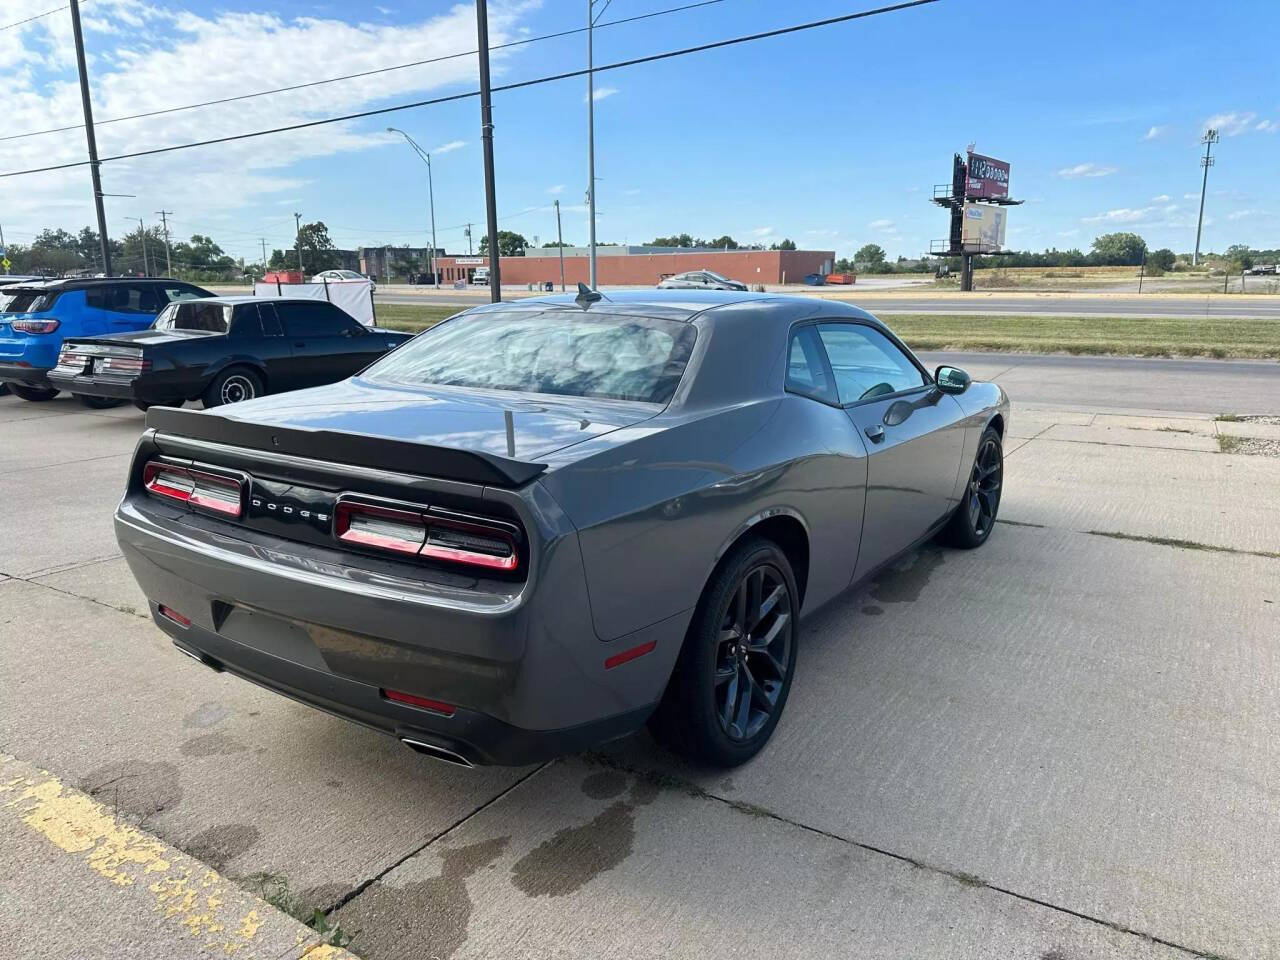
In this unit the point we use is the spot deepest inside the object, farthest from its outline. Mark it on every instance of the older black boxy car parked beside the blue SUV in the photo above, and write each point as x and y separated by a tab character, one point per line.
222	350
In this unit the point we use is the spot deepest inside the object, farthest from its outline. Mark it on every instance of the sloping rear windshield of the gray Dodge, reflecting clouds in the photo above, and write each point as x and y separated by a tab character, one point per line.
559	353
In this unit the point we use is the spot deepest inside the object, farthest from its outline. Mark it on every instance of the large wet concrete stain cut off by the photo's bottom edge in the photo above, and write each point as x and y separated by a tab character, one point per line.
422	920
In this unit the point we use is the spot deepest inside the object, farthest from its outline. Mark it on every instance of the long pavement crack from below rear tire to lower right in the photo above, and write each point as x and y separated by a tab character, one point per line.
970	880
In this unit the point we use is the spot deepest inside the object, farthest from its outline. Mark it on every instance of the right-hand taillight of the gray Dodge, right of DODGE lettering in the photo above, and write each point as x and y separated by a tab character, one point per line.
476	542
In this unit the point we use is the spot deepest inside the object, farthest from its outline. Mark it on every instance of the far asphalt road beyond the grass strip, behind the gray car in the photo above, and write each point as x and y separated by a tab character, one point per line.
979	304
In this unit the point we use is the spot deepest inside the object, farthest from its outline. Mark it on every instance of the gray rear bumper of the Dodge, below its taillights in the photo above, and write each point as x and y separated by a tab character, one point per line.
523	670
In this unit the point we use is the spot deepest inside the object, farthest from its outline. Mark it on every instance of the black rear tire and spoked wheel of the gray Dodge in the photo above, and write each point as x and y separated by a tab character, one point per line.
725	698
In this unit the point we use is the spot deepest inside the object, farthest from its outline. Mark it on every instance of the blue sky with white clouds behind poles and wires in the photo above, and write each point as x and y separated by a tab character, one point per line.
831	138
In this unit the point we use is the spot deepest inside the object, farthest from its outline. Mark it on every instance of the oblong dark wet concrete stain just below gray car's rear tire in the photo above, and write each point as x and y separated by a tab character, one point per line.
577	856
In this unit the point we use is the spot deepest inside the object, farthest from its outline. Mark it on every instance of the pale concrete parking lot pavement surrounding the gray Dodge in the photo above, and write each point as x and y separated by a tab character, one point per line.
1066	744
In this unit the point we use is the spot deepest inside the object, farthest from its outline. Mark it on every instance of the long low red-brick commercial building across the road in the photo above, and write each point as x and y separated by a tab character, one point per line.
644	266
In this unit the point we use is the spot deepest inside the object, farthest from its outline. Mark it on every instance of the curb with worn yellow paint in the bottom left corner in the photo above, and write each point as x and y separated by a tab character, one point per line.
202	906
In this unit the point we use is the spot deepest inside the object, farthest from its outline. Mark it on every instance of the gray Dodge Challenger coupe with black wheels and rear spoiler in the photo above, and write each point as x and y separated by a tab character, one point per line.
541	525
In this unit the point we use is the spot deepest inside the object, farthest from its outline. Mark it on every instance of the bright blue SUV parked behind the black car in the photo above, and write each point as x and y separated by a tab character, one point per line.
39	316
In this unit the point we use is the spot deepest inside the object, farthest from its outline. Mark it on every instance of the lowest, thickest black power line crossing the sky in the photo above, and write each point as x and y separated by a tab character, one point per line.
520	85
